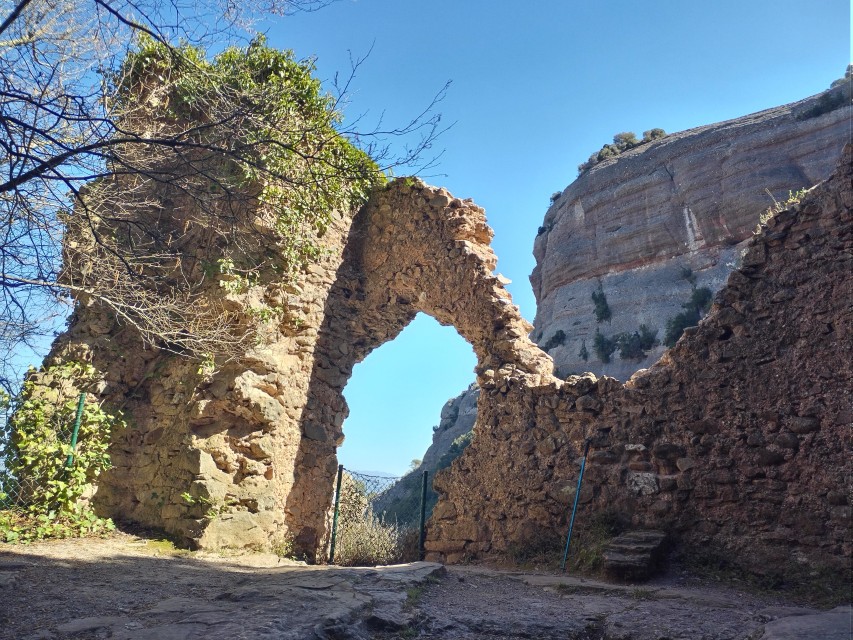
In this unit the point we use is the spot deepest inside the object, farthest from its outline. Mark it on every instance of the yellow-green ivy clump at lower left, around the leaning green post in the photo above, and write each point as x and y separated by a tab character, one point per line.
42	484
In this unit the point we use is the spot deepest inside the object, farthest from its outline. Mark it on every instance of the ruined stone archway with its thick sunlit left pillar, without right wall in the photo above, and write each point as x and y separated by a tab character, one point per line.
248	455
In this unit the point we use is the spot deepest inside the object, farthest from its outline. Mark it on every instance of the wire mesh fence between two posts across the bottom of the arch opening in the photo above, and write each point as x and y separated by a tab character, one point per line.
379	519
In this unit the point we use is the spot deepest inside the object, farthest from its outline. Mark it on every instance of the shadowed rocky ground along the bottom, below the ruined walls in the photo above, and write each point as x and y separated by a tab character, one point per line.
131	588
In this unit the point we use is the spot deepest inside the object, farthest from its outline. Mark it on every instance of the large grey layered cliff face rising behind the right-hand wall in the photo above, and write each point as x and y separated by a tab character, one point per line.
633	226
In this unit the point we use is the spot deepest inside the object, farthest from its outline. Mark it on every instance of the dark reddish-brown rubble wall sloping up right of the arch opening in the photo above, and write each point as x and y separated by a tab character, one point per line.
738	441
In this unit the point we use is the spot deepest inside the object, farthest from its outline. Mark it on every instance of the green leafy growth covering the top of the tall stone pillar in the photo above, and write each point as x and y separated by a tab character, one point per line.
281	130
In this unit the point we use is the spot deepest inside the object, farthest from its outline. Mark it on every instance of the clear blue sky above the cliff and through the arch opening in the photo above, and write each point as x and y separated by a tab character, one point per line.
537	87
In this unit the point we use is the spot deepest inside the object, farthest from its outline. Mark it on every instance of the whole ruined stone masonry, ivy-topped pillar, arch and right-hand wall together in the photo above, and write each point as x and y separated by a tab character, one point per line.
738	440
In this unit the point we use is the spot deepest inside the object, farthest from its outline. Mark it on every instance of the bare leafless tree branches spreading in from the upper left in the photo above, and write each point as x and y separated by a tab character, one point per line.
79	159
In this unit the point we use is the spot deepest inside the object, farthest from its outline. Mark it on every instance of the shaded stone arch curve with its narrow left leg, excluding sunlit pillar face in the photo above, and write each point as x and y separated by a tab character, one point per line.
411	249
